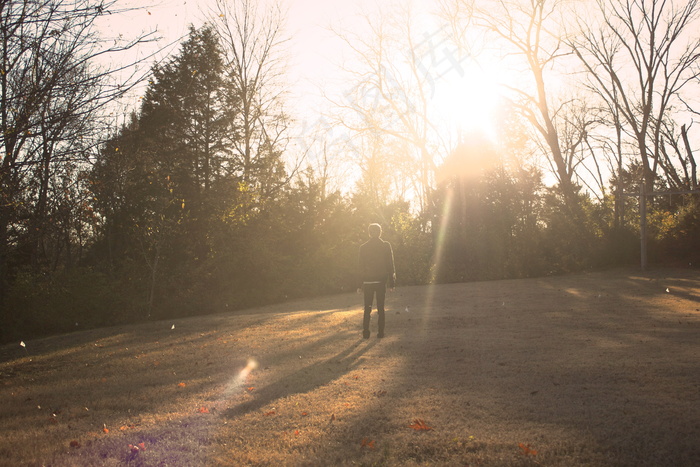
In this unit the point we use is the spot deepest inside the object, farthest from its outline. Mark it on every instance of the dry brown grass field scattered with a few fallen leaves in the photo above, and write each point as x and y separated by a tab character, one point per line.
591	369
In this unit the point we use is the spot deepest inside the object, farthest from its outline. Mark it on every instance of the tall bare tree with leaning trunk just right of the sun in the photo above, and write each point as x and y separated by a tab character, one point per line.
528	32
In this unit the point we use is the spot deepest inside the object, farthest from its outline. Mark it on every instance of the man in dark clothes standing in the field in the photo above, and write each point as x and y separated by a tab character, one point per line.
377	271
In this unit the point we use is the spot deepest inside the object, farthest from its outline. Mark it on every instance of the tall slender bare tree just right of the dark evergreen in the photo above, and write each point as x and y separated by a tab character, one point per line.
253	42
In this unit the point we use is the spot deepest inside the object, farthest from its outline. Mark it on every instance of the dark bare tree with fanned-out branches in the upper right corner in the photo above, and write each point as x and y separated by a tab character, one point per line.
640	57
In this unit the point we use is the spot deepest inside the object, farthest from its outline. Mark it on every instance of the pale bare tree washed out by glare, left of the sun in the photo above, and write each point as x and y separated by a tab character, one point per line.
393	77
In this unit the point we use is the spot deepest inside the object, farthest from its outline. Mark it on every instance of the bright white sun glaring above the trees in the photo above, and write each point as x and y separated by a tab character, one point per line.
468	101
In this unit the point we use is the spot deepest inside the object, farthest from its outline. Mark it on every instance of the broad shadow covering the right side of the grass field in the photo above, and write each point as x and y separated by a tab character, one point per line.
599	357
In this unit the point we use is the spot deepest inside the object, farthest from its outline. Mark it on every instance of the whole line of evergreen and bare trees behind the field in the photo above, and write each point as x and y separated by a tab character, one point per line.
199	201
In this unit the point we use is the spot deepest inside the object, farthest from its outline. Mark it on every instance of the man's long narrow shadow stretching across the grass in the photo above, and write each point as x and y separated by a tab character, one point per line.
307	379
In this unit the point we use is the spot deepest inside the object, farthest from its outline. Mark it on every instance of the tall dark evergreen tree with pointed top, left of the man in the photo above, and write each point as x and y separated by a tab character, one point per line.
163	180
